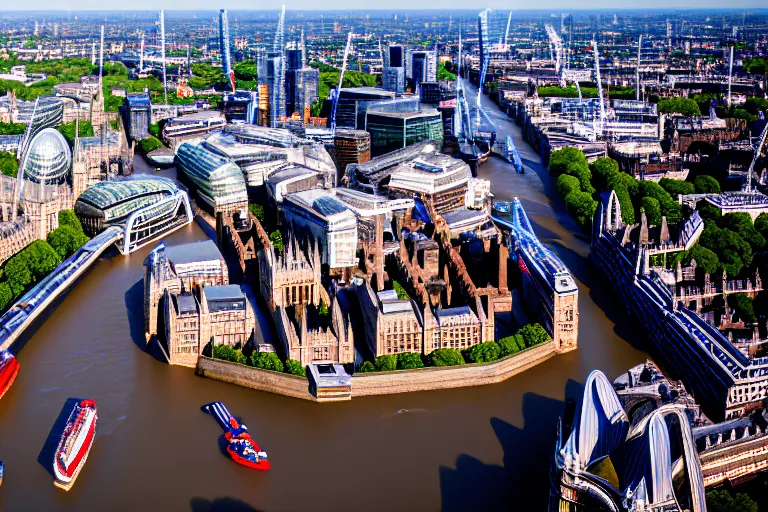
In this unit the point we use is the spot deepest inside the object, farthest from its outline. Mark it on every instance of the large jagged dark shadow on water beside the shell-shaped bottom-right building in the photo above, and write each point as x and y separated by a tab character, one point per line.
522	482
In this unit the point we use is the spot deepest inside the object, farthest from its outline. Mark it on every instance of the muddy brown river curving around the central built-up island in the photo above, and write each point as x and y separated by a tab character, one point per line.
483	448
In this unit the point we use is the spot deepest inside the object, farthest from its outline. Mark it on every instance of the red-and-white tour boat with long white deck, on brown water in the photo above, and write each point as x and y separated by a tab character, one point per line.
75	443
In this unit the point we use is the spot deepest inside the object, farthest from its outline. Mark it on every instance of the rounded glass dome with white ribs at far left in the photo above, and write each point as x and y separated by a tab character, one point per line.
48	158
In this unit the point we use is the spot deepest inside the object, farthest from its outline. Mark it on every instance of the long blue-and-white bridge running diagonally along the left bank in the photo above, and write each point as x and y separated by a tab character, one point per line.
35	301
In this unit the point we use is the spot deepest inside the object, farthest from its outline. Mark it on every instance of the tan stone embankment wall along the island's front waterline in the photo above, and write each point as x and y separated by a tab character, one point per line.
381	383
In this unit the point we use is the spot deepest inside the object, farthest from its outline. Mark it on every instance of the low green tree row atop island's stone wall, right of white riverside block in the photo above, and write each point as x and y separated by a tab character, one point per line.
526	337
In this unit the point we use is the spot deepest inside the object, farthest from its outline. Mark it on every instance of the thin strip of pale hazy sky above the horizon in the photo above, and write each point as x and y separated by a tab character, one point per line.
376	4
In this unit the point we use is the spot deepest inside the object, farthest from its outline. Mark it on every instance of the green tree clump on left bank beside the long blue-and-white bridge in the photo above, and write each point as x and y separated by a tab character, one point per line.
38	259
